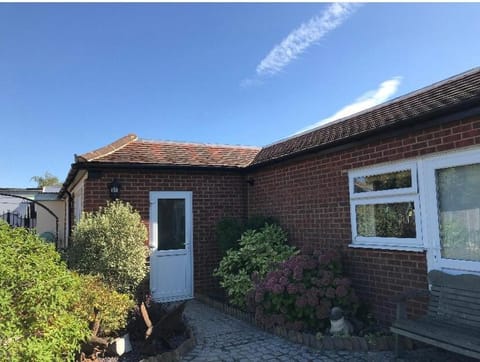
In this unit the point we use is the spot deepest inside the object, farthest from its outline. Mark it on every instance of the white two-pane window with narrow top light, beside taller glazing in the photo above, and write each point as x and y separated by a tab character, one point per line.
385	207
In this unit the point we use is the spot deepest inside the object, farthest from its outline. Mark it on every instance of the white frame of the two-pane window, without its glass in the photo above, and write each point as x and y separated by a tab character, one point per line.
406	194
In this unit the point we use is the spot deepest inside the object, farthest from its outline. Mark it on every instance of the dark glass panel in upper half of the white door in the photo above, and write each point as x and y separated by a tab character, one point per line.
171	224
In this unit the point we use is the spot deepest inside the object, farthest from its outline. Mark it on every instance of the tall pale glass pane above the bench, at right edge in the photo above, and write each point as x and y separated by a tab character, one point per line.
458	195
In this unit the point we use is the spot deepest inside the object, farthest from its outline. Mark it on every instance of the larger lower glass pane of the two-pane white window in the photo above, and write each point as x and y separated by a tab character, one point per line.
396	220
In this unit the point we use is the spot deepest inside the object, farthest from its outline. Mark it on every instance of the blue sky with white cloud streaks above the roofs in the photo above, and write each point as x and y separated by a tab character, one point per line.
75	77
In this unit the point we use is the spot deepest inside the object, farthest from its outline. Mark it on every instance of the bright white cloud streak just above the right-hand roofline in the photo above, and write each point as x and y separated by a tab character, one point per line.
367	100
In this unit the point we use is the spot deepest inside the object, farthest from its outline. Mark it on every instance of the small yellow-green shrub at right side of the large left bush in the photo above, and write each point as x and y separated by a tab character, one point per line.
101	302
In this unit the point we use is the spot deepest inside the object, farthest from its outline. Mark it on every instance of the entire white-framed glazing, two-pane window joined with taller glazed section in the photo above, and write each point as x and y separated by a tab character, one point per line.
430	203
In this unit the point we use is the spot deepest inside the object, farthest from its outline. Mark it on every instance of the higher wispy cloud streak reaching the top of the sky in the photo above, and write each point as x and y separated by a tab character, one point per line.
303	37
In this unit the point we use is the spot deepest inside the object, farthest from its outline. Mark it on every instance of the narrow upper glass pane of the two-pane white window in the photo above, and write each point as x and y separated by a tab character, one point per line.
384	181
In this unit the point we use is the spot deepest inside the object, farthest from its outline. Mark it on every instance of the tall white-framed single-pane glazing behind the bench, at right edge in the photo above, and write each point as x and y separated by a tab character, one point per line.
450	187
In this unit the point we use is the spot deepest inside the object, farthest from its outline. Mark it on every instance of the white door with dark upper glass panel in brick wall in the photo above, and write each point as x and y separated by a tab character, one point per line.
171	258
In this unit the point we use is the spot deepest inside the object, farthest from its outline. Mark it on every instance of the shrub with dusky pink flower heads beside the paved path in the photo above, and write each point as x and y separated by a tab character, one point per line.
300	292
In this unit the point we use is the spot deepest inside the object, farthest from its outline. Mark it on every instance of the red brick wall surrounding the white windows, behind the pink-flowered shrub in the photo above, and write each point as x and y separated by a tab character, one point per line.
310	197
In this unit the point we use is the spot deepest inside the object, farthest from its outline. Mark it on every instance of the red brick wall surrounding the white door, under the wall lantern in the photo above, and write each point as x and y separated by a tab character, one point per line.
215	194
